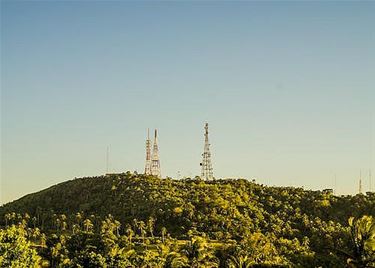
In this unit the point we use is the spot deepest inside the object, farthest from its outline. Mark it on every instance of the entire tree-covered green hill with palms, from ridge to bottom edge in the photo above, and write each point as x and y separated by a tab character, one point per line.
130	220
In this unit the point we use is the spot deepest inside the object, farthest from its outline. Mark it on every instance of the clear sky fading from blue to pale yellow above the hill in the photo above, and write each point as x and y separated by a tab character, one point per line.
288	90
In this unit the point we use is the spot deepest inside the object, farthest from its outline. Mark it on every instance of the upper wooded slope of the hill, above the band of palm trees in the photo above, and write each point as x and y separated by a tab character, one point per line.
127	196
